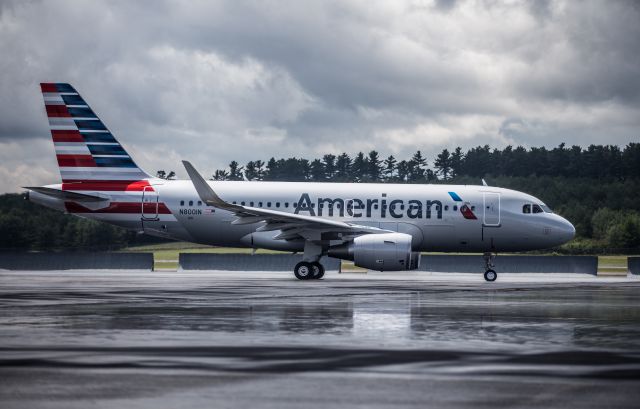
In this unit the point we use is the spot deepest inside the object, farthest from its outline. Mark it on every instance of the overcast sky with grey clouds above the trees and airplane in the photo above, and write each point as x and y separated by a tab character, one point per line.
212	81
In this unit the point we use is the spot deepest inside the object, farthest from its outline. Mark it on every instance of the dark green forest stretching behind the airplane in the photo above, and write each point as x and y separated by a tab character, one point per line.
595	188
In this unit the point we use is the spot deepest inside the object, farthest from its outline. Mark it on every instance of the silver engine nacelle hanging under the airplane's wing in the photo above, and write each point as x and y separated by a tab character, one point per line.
381	252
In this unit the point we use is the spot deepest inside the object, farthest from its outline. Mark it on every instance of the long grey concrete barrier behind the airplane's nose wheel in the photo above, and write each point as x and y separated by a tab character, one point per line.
511	264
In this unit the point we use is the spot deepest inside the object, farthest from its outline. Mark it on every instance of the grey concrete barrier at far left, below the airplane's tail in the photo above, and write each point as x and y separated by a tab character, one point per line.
76	261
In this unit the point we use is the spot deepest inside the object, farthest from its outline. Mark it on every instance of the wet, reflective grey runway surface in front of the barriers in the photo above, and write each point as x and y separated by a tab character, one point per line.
236	340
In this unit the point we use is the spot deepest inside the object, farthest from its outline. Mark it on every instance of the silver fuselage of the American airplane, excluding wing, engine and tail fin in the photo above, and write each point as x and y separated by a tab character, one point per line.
431	214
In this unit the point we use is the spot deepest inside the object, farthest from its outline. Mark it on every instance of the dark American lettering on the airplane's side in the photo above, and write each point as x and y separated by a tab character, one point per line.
396	208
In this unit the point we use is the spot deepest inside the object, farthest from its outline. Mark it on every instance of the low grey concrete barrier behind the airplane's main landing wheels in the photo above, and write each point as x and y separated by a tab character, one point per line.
247	262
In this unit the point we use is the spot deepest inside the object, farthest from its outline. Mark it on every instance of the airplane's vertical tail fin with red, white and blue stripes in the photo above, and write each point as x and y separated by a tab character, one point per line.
85	149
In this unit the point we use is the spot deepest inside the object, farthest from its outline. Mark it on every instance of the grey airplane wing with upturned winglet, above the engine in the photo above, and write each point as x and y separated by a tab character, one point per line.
291	225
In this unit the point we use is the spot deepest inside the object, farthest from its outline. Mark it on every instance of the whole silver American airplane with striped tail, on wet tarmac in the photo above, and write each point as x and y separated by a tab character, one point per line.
382	227
